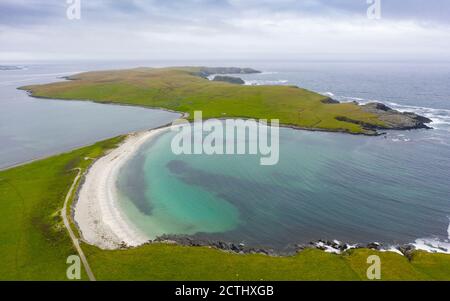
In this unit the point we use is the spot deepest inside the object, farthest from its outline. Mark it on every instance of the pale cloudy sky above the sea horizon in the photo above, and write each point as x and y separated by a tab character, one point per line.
225	29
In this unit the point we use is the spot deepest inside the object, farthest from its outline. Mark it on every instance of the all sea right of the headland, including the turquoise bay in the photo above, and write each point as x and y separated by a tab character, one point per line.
392	189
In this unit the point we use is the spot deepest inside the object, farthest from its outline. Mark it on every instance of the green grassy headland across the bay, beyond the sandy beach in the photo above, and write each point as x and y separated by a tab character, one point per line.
180	89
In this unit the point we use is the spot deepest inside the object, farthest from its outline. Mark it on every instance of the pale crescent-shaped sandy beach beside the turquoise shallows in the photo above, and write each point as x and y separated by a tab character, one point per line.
96	212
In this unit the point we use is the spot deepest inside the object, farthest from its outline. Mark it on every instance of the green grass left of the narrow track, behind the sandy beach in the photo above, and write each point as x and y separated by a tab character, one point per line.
33	241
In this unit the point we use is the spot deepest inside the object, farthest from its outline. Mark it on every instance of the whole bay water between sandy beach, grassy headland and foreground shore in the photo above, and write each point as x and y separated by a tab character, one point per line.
391	189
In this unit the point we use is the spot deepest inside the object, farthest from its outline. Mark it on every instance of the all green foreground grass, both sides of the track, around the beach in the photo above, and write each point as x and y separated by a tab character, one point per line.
34	245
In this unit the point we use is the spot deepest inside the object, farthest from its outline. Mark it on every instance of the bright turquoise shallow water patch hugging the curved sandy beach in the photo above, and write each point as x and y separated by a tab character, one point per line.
164	204
